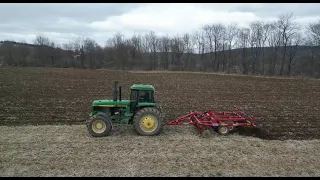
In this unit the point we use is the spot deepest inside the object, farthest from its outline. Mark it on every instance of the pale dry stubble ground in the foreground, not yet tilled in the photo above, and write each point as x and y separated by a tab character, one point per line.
178	151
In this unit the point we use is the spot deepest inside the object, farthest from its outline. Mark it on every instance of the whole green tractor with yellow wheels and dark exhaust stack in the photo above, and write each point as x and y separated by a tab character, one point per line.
141	111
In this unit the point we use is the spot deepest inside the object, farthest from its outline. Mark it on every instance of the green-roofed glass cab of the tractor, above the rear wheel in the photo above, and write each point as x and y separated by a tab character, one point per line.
141	95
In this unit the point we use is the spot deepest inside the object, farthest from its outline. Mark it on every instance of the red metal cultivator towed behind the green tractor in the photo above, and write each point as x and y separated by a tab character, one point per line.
222	122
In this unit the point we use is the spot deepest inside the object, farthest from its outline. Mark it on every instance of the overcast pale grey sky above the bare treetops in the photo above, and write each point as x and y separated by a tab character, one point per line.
65	22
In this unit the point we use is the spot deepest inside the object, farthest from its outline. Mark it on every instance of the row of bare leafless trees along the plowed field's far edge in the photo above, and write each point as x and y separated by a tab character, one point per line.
277	48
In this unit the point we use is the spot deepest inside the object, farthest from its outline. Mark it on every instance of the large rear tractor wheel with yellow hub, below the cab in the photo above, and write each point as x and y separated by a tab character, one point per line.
148	122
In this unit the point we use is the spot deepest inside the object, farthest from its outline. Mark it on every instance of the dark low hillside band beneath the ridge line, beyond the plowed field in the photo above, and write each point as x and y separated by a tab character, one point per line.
298	60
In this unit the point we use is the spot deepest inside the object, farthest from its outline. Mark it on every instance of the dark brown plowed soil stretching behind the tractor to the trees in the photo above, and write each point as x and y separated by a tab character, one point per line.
288	108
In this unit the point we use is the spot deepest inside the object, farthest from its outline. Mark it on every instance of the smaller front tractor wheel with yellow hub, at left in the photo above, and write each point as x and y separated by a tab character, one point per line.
99	126
